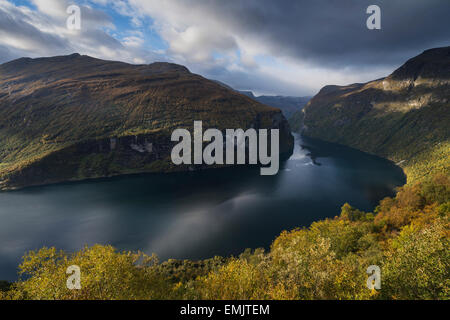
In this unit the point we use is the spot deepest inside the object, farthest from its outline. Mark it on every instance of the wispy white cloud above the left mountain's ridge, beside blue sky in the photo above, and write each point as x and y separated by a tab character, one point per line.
43	32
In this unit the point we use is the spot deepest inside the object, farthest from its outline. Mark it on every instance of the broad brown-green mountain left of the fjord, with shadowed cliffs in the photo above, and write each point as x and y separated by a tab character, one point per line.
76	117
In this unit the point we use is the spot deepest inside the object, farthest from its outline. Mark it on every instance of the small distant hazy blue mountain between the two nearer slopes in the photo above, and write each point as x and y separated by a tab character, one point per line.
288	105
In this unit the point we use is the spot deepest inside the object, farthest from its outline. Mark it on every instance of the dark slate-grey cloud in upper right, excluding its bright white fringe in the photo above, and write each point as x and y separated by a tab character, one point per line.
334	32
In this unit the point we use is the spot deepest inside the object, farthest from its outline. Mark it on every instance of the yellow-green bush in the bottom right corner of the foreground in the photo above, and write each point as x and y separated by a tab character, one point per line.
418	264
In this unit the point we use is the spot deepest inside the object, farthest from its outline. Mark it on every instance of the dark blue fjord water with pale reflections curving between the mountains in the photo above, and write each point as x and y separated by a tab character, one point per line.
193	215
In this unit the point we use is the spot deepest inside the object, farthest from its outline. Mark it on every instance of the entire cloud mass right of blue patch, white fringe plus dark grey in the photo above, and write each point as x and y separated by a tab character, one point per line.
297	46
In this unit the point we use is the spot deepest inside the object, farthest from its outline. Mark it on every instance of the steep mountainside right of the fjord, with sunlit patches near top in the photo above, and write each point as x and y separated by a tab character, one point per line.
404	117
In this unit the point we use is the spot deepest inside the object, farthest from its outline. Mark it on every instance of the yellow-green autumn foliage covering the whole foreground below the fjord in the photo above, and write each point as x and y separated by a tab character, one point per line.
407	236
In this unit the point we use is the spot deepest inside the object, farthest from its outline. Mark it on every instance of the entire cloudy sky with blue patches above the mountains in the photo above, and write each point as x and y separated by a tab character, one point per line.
287	47
